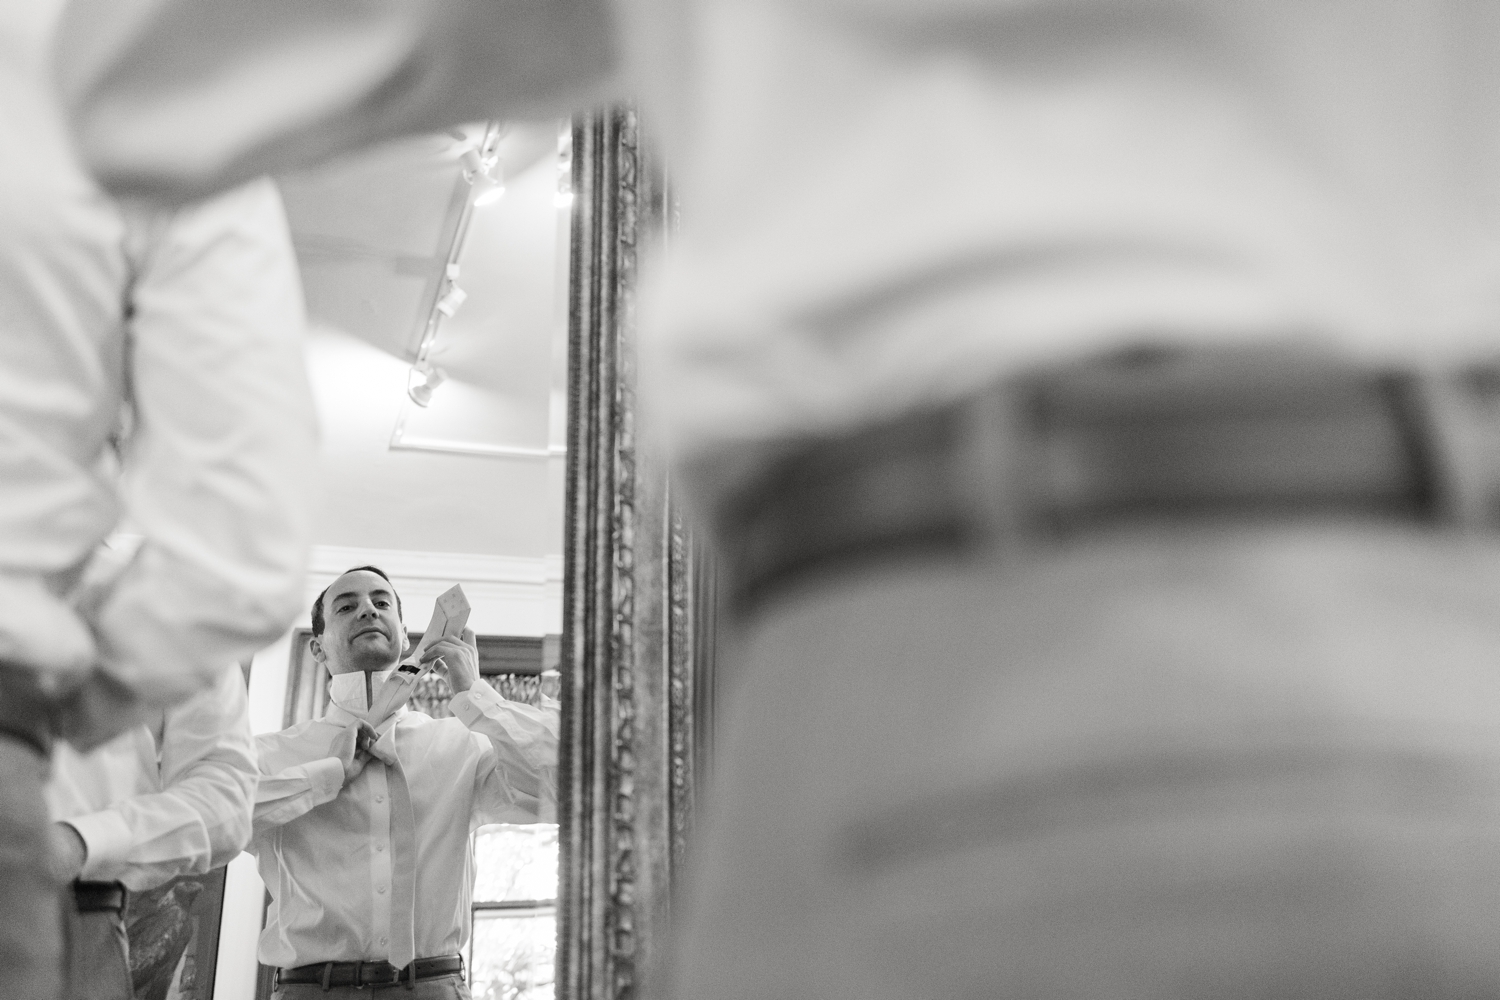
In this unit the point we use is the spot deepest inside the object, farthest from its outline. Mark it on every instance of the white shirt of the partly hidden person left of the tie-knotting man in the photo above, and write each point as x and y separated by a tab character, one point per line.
166	800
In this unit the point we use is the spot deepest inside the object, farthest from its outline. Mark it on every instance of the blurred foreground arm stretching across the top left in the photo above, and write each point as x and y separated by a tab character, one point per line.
173	100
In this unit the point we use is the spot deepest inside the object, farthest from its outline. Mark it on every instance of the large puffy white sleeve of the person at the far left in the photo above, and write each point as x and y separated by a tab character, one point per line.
218	466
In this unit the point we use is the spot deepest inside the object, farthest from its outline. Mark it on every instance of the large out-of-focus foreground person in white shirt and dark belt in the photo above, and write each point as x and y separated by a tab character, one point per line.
1106	374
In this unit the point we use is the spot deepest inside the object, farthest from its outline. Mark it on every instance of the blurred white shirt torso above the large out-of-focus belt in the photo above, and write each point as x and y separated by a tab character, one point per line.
892	202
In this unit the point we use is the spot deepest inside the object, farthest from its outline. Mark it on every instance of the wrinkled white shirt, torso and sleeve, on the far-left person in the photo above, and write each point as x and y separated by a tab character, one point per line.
215	473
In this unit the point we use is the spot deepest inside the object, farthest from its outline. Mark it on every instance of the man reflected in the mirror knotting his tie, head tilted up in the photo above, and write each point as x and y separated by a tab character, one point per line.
364	834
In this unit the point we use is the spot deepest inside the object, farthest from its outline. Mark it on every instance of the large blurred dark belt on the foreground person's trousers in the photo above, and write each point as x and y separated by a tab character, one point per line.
1150	436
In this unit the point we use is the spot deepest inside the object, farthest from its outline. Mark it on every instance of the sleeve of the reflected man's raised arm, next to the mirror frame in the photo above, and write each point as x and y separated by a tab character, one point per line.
517	776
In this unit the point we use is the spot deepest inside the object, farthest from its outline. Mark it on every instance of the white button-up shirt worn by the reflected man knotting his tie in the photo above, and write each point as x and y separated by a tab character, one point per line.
328	854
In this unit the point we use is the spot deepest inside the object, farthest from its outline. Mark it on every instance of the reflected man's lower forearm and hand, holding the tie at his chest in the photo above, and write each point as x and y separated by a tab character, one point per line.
308	776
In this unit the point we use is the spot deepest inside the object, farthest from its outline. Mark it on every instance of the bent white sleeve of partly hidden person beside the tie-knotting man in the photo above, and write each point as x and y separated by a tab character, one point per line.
202	818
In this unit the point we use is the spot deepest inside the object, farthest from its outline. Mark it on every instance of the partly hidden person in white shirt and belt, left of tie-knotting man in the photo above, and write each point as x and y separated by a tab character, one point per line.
169	798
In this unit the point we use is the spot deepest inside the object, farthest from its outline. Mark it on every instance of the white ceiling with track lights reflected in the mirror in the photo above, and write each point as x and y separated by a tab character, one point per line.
479	470
